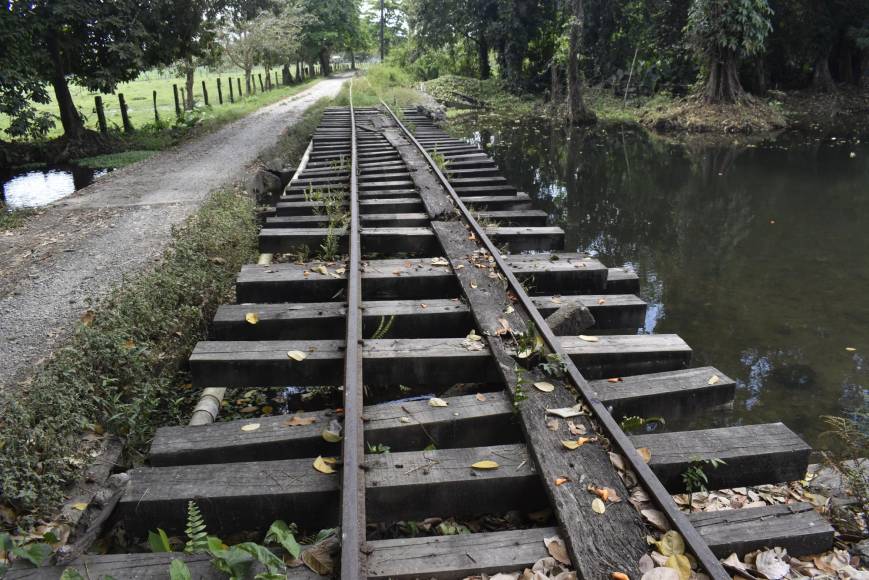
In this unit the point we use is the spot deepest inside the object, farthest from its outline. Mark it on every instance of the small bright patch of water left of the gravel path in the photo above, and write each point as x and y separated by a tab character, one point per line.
27	188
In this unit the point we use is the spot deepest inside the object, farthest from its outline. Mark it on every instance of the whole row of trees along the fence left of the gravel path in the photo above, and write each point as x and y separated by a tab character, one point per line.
45	45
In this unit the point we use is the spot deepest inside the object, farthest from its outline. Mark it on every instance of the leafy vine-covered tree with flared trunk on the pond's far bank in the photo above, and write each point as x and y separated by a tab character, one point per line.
722	33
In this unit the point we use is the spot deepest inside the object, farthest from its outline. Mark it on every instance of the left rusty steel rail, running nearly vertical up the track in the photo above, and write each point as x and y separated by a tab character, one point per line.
353	476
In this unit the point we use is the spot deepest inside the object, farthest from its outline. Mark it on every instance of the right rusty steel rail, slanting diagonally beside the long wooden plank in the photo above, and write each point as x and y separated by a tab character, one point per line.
647	478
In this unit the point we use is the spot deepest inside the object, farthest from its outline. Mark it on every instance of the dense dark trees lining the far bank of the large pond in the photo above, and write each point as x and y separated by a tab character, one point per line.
719	47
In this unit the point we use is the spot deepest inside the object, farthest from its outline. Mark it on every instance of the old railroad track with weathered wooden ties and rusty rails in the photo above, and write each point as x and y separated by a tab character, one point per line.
406	208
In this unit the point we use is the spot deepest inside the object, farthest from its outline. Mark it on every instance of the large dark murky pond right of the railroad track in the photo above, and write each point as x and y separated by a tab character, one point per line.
758	256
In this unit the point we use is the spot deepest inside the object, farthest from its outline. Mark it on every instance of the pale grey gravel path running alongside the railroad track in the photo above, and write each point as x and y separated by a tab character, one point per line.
82	246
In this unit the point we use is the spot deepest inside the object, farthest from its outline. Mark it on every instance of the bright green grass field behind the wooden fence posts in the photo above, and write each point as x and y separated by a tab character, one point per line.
138	95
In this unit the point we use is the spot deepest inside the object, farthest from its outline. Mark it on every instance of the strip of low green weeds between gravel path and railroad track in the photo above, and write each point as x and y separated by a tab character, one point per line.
120	372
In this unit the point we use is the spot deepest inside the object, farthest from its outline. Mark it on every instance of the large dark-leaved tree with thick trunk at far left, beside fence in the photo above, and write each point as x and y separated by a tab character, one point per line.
93	44
